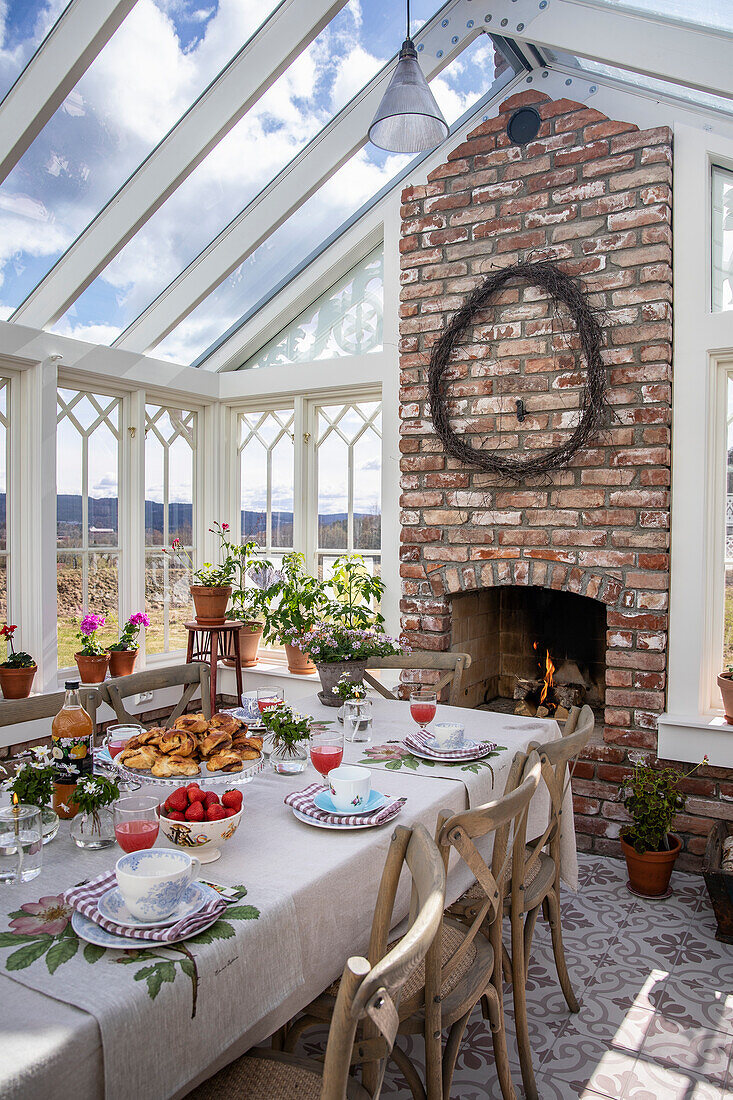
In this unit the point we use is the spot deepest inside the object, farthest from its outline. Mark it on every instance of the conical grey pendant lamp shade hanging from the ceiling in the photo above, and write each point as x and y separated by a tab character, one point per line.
409	120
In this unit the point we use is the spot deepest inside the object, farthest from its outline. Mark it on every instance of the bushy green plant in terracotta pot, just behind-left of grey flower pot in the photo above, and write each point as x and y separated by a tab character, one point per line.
301	604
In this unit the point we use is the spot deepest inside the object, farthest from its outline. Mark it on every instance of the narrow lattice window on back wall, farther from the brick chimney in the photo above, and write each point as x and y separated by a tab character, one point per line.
267	455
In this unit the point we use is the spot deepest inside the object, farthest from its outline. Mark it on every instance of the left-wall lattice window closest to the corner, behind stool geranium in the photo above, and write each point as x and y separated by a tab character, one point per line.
170	510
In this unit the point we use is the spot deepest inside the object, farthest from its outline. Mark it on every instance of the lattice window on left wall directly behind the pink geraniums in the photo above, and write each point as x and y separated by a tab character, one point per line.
87	514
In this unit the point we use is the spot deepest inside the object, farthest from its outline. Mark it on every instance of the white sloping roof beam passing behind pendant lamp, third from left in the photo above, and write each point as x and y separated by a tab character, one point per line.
336	144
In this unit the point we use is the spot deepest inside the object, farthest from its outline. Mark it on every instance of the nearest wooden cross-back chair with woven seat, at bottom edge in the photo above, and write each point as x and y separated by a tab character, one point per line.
368	998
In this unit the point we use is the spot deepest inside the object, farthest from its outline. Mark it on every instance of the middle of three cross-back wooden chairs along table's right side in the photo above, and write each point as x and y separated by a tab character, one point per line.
464	963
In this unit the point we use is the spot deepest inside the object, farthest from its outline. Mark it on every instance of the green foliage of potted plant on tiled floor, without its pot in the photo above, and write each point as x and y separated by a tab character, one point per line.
653	798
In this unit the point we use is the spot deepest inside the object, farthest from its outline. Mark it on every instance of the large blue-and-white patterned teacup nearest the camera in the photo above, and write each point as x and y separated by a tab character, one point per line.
154	883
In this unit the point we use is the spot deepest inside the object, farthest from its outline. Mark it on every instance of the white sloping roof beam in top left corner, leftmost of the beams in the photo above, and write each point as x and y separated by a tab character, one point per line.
62	59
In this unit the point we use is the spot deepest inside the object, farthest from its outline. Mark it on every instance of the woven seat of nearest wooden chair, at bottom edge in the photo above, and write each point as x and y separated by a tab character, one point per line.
269	1075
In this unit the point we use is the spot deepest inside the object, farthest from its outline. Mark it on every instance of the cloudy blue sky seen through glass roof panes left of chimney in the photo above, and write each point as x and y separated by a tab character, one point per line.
160	60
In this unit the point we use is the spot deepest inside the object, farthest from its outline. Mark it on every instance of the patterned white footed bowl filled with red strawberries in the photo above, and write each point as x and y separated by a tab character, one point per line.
202	820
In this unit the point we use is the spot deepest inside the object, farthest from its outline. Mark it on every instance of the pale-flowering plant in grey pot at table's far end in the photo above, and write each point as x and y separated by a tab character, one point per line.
342	652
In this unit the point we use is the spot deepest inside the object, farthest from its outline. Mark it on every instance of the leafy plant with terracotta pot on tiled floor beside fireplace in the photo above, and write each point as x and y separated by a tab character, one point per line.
653	798
